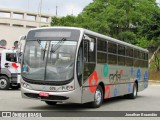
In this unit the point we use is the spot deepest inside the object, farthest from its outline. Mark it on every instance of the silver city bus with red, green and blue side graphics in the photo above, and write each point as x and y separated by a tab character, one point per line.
75	65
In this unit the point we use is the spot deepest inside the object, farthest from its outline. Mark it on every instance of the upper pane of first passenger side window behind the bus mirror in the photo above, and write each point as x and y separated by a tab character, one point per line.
101	45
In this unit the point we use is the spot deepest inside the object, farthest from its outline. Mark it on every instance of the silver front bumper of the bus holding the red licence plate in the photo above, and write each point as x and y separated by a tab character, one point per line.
68	97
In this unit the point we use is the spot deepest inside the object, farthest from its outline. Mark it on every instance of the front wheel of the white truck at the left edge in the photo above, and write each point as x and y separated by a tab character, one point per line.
4	83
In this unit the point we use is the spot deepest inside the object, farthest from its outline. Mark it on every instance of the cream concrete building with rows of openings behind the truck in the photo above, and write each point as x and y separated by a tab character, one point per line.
15	23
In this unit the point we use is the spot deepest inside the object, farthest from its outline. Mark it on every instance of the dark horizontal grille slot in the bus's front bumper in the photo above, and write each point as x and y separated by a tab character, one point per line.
51	97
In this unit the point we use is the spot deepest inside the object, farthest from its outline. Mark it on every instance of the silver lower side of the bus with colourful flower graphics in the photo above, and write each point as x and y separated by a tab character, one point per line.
117	82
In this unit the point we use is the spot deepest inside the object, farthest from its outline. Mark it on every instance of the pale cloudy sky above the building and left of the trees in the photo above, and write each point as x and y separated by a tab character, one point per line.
64	7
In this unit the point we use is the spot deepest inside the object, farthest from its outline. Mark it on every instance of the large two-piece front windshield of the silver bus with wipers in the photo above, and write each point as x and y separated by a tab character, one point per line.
49	60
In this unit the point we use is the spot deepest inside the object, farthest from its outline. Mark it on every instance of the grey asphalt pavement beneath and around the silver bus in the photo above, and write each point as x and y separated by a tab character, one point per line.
147	100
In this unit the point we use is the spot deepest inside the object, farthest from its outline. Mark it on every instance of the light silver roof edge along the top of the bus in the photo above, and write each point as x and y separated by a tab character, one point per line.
95	34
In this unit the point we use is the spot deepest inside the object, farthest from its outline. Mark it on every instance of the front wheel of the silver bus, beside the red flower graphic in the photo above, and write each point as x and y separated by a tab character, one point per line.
98	98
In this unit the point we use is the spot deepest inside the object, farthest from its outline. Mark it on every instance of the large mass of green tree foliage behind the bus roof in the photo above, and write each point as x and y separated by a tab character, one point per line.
133	21
